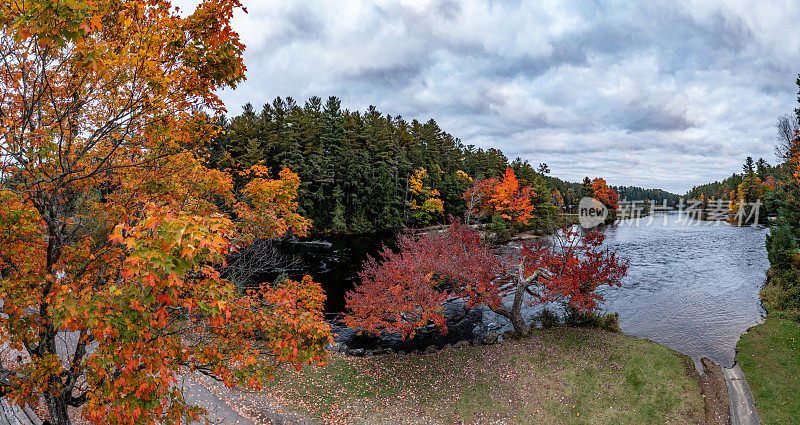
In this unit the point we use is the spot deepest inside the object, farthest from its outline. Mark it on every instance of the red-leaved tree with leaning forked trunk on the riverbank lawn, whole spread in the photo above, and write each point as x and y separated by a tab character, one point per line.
406	289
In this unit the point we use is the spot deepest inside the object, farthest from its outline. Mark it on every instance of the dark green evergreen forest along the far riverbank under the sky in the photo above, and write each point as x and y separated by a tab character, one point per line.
369	171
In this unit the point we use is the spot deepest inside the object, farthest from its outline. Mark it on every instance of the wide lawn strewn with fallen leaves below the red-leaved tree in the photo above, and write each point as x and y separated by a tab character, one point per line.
559	375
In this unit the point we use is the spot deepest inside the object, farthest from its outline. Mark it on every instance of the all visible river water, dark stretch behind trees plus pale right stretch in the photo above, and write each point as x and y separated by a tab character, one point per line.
692	286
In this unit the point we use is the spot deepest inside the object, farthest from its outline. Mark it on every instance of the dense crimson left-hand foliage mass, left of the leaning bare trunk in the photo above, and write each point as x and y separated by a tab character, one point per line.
406	289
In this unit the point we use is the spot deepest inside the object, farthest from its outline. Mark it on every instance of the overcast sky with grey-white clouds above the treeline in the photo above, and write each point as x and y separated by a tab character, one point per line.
666	94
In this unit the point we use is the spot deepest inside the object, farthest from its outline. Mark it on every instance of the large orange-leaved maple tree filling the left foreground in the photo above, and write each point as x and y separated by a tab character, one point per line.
113	231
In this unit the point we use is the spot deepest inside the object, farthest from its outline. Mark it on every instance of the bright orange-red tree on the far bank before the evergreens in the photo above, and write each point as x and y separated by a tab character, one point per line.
504	196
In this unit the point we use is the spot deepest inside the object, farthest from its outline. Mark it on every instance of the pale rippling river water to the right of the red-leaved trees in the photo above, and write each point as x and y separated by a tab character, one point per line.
691	286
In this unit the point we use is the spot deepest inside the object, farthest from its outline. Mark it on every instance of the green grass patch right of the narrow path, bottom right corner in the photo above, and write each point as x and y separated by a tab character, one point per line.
769	355
